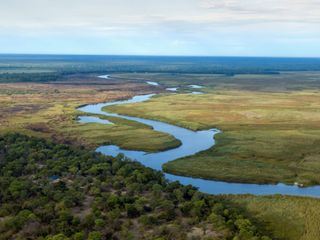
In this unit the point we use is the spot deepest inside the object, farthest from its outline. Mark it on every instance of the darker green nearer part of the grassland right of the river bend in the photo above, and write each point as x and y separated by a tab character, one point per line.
266	156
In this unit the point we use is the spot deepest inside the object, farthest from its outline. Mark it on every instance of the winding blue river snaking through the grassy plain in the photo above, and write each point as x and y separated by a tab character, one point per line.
192	143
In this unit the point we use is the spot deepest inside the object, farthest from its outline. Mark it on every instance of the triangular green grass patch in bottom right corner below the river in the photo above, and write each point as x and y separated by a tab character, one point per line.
288	218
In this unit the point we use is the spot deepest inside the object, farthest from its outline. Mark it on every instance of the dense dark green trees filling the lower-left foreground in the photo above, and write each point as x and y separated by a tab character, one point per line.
53	191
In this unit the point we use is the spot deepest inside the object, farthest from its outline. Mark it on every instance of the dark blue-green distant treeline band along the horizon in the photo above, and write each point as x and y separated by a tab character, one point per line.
63	65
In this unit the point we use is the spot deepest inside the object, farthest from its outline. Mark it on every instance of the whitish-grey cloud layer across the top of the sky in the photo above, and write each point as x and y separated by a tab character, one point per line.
118	16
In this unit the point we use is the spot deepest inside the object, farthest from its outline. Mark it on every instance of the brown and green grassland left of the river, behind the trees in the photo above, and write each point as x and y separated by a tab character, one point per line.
49	110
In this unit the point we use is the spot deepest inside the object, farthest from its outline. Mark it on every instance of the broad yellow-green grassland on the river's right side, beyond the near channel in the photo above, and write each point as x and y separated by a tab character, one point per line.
271	136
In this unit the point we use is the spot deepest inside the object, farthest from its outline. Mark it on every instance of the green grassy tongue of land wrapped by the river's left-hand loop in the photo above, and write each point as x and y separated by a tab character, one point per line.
126	134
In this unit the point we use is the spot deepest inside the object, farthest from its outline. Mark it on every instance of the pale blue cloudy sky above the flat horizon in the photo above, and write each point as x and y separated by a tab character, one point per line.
288	28
